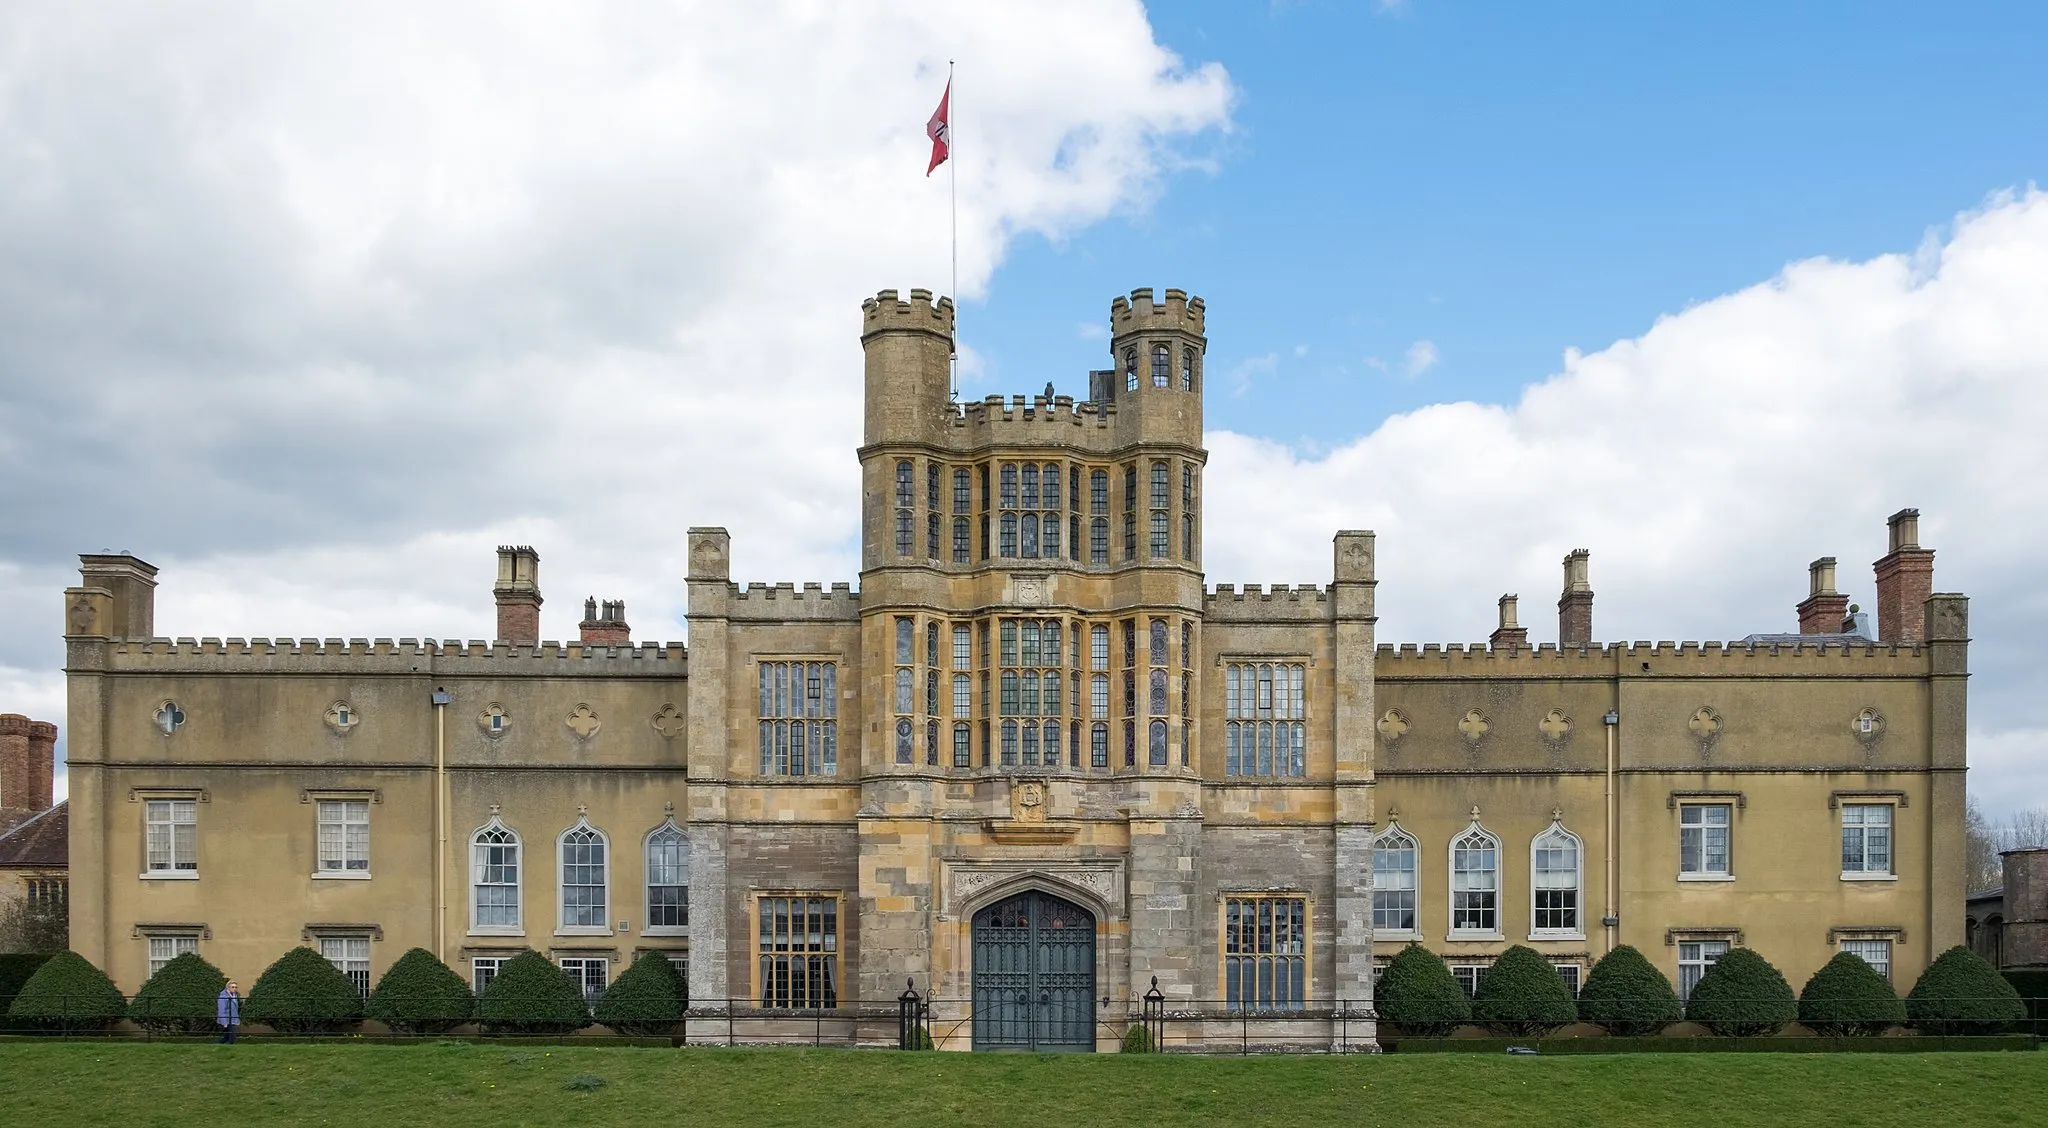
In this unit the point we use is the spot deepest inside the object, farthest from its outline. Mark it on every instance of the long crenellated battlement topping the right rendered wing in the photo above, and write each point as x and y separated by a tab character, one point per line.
1648	660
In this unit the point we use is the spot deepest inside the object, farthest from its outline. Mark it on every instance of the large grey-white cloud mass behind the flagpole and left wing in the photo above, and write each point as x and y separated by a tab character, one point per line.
314	306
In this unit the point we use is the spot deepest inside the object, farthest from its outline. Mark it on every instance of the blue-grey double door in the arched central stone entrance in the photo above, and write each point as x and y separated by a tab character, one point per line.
1035	975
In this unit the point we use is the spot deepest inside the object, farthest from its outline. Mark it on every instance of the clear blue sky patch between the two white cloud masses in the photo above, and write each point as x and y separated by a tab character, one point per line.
1506	181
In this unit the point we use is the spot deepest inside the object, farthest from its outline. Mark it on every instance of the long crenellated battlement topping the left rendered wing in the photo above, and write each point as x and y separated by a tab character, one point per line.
388	656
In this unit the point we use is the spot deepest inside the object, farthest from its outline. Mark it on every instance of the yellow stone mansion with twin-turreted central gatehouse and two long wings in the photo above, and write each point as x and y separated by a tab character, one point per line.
1031	765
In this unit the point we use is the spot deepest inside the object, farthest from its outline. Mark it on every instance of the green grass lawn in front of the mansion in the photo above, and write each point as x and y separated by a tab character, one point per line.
497	1086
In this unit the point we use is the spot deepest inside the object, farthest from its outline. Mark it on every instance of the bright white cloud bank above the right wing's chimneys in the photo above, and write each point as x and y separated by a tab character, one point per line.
1709	460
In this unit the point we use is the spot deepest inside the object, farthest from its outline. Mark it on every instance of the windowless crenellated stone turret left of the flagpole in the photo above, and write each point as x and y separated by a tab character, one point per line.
908	367
